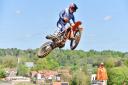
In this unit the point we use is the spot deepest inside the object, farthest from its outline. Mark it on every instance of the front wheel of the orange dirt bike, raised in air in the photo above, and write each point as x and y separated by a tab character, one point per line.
75	42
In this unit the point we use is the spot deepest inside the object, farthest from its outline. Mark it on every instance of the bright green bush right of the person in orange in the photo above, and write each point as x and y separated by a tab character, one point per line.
118	75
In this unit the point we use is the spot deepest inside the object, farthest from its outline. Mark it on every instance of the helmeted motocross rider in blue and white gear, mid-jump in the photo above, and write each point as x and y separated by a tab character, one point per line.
64	17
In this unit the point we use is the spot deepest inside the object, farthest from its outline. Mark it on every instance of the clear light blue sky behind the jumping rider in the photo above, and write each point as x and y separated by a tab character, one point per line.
25	23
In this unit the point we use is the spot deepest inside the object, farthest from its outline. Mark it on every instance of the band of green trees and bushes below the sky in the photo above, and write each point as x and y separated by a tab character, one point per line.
77	61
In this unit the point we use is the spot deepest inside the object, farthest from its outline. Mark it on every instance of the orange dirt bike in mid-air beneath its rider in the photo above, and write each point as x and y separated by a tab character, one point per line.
60	39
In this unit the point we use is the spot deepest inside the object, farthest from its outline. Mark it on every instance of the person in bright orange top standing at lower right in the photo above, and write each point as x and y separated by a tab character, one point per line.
102	74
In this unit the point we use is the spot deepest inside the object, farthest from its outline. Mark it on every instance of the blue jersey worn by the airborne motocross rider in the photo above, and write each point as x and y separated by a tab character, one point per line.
67	14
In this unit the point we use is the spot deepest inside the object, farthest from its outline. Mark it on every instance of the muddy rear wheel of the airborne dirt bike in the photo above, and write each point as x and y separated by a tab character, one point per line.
44	50
